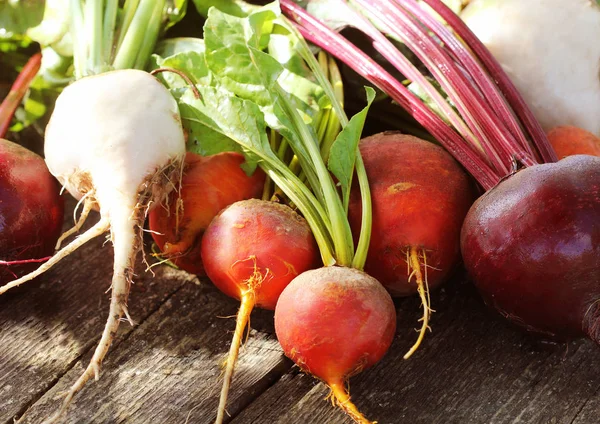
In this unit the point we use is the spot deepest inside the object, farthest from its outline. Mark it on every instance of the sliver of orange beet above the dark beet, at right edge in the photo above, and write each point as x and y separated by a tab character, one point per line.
569	140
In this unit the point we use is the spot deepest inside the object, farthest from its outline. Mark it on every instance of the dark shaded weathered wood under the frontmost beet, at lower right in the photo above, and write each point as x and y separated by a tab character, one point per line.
472	369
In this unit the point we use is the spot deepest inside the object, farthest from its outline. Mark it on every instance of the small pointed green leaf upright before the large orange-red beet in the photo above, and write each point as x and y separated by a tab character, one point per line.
342	155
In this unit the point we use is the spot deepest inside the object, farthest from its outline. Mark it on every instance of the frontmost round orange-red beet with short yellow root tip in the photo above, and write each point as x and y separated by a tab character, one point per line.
335	322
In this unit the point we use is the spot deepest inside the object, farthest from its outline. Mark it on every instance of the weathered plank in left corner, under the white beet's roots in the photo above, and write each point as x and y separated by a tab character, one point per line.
47	324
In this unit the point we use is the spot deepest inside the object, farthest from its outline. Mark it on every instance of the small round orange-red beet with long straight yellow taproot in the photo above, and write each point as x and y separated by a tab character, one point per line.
251	251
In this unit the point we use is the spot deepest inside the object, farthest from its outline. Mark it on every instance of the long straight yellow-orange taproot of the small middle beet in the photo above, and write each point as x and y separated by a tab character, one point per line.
246	306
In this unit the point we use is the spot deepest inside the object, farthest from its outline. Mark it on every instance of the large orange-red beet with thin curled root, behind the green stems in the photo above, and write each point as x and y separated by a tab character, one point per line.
420	198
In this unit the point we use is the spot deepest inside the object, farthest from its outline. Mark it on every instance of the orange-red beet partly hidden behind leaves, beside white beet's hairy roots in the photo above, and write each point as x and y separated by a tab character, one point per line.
208	185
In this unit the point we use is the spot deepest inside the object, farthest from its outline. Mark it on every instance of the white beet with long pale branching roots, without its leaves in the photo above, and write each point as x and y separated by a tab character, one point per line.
115	141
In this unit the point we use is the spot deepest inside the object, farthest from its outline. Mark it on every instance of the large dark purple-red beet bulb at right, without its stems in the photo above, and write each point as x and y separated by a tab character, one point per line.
532	246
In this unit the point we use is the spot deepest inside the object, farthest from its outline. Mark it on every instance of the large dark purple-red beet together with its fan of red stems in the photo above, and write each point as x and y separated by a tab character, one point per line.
530	243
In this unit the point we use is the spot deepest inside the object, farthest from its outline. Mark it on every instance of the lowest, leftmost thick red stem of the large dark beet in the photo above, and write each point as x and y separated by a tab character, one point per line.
319	34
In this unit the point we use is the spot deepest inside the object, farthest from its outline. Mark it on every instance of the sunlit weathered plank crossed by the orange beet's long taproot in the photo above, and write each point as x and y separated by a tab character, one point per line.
168	370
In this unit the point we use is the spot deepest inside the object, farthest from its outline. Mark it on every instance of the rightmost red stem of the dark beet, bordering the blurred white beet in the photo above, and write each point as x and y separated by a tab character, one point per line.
511	93
